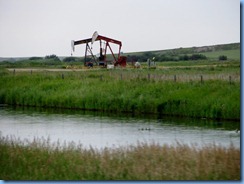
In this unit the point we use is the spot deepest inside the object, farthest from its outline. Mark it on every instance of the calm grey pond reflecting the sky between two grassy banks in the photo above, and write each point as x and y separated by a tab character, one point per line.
100	130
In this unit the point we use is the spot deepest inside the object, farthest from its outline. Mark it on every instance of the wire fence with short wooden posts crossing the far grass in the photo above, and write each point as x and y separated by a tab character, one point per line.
230	77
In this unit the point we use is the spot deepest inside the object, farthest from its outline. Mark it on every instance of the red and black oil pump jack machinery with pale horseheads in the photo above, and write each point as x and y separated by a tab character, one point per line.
90	59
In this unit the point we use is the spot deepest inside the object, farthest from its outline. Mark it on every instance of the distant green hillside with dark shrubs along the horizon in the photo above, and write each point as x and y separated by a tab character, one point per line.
231	51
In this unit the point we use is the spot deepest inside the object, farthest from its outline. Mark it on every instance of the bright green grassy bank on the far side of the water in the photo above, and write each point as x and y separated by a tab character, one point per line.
126	91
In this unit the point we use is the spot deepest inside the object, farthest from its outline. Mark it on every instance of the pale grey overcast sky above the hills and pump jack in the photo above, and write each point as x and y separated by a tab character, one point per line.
44	27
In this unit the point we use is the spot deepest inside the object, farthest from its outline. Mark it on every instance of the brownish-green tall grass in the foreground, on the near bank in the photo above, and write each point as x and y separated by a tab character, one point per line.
36	161
